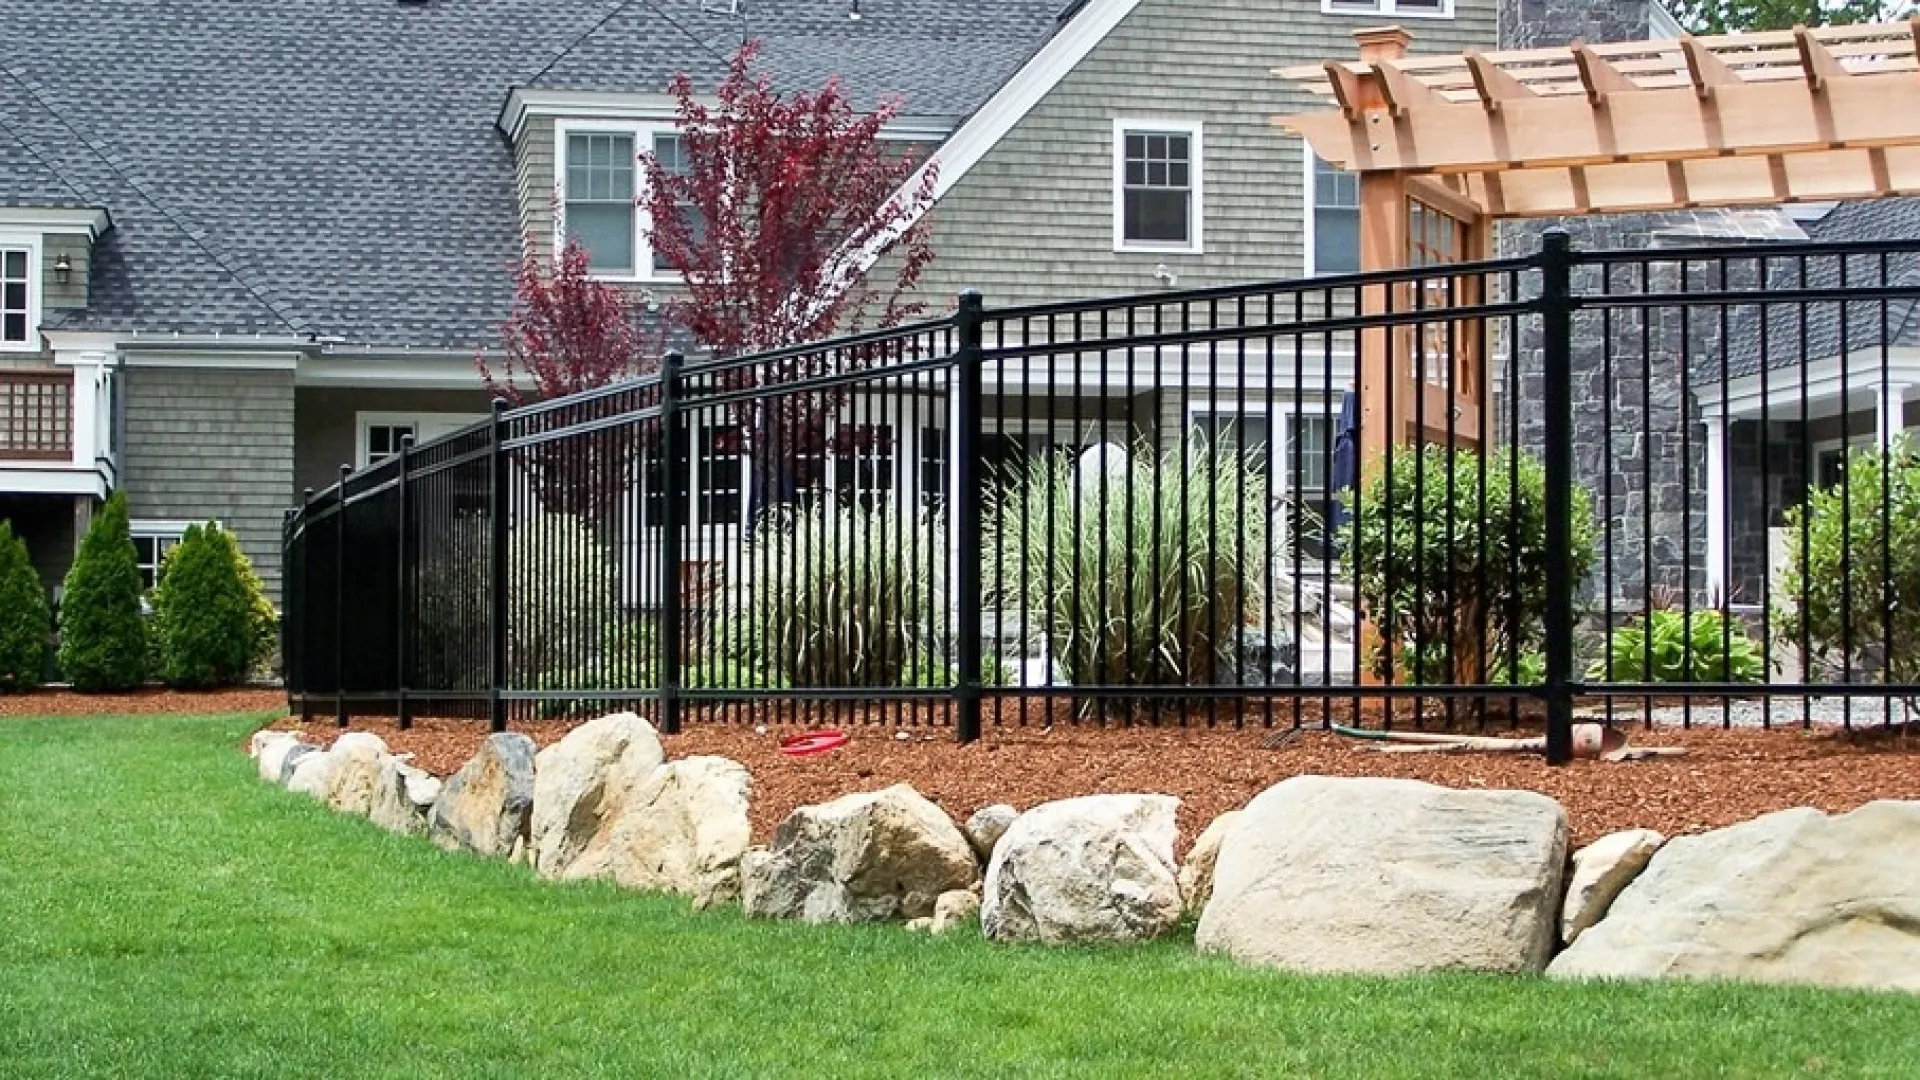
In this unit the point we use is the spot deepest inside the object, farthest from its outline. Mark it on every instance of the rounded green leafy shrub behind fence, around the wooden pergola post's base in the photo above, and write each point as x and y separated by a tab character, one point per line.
1462	539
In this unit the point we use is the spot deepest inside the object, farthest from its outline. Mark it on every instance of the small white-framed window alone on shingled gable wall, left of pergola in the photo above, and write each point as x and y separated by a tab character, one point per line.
1159	199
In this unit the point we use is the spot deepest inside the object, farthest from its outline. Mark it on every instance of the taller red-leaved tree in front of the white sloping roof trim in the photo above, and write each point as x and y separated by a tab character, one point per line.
779	210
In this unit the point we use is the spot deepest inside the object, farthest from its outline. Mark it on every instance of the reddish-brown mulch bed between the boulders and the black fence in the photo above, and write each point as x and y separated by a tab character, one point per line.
1729	775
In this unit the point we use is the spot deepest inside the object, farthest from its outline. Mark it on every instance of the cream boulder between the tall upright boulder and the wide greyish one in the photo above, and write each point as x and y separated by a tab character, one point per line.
684	831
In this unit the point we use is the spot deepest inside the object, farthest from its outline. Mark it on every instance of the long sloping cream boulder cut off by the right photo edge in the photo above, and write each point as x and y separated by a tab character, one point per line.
1794	896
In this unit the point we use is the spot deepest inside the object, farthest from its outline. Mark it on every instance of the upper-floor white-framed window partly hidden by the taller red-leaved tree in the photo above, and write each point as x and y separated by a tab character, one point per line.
600	191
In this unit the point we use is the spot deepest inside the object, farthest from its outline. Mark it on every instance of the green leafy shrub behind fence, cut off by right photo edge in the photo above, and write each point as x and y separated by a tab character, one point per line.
1852	583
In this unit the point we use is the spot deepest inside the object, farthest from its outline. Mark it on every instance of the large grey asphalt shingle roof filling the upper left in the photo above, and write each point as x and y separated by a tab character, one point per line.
333	166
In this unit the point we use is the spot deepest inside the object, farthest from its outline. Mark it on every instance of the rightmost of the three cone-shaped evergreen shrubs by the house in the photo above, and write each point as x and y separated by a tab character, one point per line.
206	612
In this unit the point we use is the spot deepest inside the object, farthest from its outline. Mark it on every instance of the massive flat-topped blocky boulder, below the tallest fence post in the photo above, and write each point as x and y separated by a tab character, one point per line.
1370	875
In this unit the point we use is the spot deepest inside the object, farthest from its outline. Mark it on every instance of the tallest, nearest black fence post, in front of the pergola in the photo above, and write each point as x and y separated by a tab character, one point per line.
1556	370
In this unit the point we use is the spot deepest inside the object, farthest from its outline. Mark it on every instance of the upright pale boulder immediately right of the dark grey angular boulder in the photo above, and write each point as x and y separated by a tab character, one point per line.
581	785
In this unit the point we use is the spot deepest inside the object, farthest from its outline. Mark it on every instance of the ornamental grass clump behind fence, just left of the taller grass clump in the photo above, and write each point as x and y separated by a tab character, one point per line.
844	597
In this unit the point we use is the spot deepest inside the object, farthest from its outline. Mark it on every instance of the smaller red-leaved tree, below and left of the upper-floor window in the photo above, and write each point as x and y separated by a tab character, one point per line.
571	333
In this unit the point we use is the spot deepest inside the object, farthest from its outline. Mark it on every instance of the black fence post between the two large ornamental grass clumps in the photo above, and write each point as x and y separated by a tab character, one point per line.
969	512
